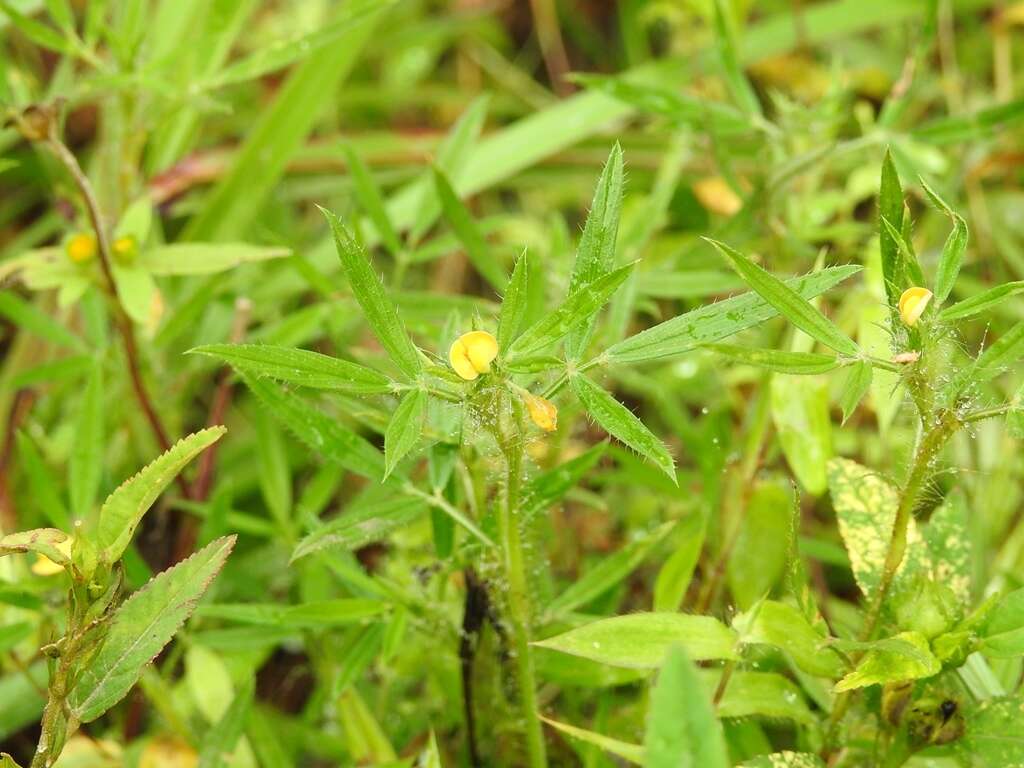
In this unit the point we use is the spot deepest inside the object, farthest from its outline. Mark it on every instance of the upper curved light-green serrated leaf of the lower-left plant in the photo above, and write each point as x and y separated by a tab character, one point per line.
124	508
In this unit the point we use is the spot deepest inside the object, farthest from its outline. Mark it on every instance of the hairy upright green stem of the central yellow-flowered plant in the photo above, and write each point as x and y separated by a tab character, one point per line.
519	604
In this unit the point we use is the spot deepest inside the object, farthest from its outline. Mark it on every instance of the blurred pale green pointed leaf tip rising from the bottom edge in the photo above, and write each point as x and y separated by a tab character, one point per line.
682	731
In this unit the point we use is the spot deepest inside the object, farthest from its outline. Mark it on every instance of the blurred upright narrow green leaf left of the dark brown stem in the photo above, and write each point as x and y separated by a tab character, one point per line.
87	462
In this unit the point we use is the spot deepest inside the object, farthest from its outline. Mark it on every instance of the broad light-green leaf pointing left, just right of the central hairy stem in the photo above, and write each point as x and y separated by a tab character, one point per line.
642	642
